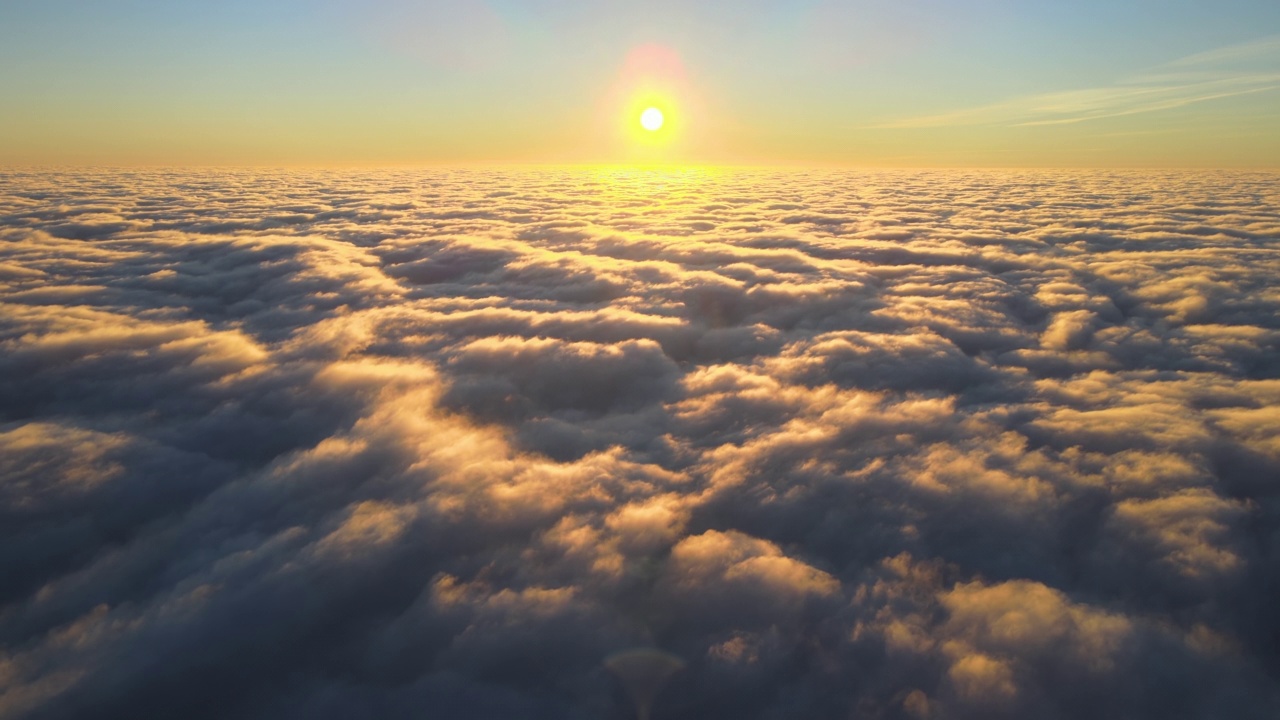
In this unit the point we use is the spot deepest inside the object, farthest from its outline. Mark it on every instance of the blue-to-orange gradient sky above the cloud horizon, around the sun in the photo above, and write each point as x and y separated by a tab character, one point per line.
875	83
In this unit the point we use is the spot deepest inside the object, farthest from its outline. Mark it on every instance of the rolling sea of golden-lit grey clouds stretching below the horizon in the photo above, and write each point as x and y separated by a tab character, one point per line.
903	445
